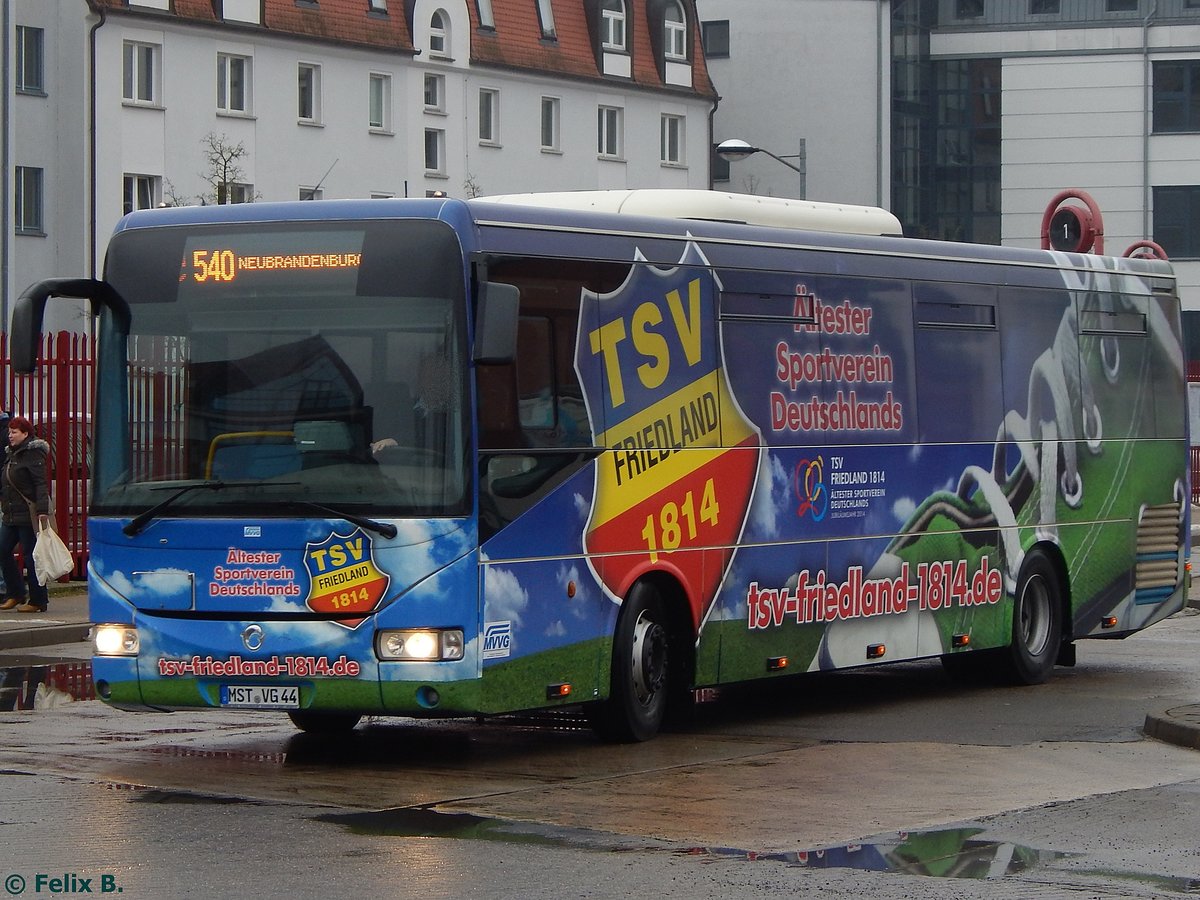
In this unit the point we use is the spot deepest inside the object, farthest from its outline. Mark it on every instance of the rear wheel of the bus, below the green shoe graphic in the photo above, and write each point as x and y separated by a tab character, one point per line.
1037	622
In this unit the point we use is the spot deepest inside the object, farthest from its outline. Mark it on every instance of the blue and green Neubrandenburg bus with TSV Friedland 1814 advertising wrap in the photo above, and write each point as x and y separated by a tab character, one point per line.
610	451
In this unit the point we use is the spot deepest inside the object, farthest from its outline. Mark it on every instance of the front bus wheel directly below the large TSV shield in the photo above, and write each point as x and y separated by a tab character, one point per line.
641	670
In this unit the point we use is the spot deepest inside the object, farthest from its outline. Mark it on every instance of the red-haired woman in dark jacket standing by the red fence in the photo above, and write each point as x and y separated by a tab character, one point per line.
25	502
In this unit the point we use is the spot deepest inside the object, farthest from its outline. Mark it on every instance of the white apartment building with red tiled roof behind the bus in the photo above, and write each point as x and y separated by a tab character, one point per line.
113	105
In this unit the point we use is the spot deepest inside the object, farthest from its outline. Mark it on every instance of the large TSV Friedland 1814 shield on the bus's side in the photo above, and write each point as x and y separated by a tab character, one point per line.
674	490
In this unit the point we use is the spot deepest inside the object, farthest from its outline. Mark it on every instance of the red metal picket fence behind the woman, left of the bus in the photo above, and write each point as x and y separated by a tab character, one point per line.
58	400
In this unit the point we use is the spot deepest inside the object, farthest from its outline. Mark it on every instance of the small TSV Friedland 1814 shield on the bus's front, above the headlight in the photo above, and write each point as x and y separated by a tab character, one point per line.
344	578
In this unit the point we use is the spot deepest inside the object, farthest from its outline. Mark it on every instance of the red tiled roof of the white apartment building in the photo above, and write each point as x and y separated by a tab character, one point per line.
517	43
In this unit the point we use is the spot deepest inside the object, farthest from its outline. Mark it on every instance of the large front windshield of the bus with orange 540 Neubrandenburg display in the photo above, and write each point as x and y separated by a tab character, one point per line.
286	365
